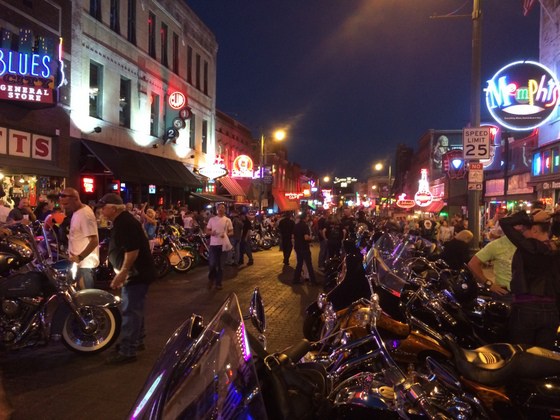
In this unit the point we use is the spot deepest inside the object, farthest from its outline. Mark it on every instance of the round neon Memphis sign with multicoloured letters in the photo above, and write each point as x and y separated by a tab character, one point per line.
522	95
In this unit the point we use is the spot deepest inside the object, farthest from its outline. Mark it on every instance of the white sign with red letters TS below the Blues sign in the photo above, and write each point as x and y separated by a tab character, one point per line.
24	144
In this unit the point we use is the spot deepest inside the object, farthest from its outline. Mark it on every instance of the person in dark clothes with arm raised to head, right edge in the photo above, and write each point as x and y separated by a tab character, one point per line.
535	281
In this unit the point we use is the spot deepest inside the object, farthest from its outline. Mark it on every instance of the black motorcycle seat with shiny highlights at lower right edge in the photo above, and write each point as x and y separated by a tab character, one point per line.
503	363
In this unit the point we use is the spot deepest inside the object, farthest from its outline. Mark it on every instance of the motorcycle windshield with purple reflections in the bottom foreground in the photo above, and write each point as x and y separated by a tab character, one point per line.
215	377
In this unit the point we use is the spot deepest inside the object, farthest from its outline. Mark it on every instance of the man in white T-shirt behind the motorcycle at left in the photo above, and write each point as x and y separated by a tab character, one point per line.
83	237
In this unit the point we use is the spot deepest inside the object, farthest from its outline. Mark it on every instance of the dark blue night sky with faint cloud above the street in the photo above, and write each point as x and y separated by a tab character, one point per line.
354	78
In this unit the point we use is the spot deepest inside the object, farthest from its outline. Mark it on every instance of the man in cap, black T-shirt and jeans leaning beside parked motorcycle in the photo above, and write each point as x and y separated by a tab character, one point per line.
129	254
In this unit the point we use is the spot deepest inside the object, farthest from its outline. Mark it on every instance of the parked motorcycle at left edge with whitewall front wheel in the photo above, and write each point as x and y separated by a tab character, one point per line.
39	301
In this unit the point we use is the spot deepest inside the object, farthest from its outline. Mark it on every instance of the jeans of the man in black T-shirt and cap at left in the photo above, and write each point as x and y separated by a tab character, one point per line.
132	330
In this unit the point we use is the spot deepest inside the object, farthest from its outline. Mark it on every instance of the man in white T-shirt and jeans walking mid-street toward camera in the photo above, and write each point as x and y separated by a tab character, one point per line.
219	228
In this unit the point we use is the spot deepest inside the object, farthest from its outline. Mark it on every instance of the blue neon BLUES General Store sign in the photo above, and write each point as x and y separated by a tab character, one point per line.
29	77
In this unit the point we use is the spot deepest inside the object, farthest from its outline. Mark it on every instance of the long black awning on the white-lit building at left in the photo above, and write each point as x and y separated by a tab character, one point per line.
132	166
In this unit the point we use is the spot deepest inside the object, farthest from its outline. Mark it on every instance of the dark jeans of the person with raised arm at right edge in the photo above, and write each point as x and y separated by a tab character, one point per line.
534	324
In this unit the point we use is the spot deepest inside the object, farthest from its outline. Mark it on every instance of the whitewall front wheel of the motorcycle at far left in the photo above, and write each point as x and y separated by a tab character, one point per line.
103	328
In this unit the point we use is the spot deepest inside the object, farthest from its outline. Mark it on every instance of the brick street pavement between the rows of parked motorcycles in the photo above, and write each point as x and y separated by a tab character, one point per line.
55	383
